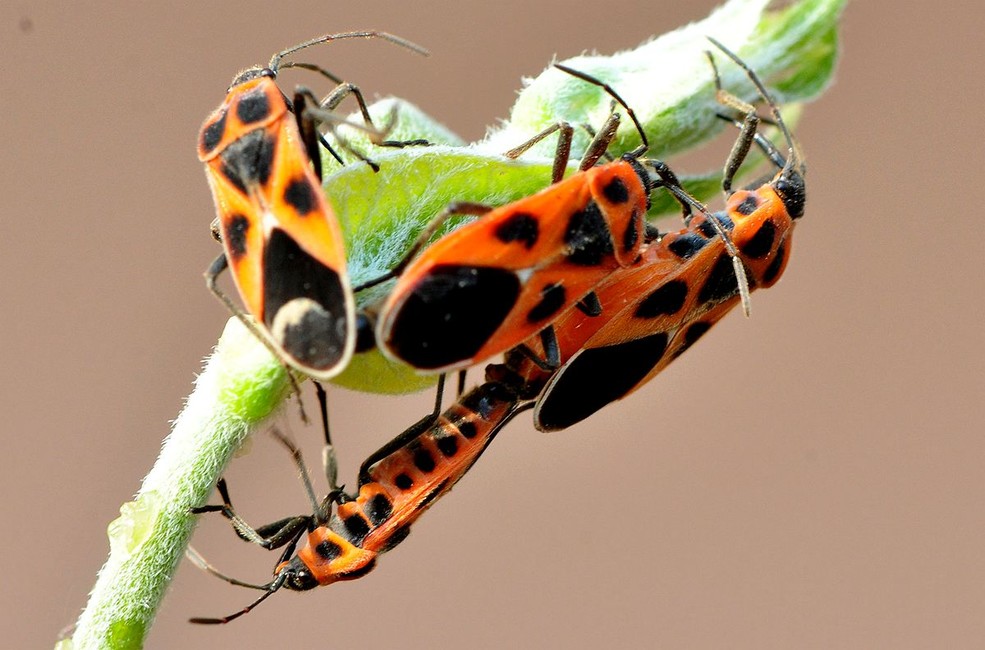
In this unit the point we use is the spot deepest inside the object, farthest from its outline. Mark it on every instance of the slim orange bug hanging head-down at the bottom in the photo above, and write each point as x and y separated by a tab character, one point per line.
396	485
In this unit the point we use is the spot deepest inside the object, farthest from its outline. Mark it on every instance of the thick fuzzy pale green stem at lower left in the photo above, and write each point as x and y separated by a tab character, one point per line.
241	386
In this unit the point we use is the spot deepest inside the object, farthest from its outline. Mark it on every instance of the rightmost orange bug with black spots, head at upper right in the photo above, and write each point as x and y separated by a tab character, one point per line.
686	281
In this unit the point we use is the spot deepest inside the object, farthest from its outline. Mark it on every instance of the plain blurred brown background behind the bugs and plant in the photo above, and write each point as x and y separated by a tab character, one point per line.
810	478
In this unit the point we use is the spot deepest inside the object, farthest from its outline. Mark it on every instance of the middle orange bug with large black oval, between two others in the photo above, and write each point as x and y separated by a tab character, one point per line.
489	285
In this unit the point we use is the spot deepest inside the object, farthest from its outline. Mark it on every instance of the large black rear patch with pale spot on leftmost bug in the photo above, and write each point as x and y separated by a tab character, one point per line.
318	339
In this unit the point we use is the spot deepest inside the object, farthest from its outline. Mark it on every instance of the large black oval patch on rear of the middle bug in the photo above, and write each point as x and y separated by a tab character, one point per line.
451	314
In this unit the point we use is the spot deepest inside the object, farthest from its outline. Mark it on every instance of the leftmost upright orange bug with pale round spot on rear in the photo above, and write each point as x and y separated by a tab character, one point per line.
280	236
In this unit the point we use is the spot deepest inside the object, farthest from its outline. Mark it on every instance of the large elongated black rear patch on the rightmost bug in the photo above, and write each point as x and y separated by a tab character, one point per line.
597	377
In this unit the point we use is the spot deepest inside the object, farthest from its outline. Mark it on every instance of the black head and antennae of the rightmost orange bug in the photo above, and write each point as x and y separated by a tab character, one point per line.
788	183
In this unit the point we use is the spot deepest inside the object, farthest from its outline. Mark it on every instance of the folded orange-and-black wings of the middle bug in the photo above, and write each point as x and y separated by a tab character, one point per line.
492	284
